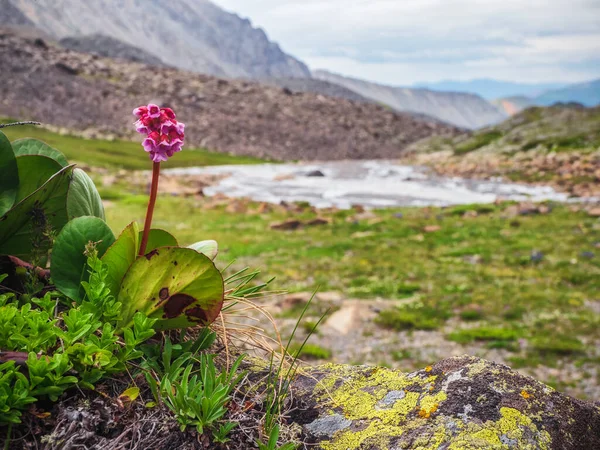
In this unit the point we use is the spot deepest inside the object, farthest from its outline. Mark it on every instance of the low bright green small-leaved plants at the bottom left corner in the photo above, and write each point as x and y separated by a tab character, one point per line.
89	348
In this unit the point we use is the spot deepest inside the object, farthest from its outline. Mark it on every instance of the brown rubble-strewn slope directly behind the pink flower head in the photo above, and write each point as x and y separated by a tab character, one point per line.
83	91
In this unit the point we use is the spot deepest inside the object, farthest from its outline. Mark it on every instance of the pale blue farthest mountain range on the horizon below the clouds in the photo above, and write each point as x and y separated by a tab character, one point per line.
492	89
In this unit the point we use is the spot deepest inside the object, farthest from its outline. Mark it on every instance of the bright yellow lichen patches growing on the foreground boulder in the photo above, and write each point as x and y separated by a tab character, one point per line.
358	398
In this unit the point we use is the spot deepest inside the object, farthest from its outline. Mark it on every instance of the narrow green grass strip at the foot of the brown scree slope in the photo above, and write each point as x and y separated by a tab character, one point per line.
118	154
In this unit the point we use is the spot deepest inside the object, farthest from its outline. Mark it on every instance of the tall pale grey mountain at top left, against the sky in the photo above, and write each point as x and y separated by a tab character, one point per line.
194	35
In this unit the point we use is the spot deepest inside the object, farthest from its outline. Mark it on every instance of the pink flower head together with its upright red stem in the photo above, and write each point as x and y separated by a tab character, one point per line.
164	137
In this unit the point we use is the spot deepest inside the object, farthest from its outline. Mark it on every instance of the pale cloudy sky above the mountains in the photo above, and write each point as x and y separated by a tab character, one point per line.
403	42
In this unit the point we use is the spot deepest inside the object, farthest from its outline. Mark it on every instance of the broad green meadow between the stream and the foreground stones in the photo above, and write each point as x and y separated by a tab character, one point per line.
503	288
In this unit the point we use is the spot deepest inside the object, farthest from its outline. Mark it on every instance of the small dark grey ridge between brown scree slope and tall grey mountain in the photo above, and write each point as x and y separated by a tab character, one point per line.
108	47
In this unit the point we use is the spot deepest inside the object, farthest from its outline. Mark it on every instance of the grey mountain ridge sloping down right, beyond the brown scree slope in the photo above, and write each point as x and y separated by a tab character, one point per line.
460	109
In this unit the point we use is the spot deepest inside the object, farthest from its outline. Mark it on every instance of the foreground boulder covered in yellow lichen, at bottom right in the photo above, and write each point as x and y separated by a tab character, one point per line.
458	403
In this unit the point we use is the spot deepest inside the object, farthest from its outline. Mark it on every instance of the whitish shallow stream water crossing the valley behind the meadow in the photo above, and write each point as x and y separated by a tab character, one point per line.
375	184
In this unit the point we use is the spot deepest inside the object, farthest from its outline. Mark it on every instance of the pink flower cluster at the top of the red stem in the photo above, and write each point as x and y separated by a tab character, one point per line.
164	134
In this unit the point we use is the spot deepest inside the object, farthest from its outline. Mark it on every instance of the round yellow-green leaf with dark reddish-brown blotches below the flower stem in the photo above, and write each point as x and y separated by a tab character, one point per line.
178	286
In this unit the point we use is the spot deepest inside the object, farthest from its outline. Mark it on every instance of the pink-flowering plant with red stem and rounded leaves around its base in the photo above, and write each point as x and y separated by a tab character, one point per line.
146	271
